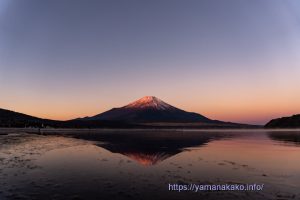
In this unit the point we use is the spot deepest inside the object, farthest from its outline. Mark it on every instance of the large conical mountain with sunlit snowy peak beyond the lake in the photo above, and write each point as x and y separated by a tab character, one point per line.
149	109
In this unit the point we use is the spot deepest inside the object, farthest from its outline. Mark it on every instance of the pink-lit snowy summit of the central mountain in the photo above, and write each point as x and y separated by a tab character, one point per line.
149	102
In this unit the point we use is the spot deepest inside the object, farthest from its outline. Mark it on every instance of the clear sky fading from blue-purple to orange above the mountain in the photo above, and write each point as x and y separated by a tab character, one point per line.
235	60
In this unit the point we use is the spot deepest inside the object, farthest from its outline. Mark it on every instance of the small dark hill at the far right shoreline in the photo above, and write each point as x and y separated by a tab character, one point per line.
285	122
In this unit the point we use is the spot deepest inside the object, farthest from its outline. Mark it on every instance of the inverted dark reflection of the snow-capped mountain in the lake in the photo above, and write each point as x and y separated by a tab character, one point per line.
150	148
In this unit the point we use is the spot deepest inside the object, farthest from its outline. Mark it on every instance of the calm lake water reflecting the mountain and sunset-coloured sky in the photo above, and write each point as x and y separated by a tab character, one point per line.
139	164
